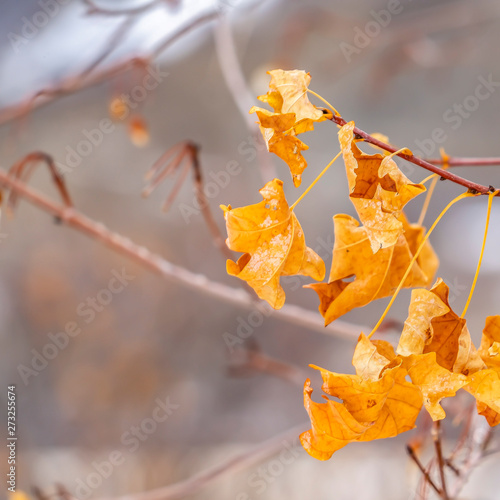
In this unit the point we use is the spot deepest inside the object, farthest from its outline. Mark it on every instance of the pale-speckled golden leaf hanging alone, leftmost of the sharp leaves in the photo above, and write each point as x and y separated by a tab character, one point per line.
274	245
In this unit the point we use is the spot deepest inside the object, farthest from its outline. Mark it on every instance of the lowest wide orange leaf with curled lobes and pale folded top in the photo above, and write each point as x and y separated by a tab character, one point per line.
379	404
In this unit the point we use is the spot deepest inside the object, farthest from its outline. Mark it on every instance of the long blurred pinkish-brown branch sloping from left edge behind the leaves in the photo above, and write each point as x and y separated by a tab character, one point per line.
68	215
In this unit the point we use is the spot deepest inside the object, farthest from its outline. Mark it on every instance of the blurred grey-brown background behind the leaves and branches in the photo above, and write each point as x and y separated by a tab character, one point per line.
404	75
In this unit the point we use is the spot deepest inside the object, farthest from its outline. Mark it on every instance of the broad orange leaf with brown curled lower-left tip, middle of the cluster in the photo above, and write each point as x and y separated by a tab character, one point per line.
376	275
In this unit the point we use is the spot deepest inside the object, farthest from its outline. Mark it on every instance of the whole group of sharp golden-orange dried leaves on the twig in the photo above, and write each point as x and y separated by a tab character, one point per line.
435	356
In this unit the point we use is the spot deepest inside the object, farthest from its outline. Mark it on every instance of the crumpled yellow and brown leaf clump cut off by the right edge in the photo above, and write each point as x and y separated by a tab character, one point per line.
440	357
